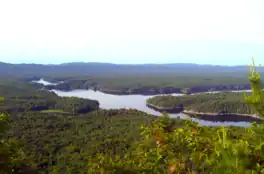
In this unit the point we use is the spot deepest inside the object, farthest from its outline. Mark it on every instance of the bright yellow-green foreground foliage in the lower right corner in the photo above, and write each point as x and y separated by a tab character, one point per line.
188	149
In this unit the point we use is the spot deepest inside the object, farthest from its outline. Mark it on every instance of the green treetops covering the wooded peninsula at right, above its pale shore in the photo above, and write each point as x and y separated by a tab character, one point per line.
227	102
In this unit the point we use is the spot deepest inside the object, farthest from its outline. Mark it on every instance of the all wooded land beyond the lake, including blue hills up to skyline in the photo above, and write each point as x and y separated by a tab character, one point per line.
121	79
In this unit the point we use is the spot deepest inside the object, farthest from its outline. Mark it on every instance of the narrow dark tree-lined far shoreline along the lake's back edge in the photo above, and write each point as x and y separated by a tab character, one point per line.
55	85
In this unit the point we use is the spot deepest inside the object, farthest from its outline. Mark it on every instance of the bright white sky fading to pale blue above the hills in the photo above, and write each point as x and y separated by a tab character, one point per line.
223	32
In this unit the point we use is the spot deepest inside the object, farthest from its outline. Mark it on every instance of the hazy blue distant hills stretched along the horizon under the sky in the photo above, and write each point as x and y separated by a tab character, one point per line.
104	69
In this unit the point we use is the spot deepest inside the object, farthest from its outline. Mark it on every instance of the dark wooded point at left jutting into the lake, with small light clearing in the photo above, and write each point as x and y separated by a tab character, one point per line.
24	99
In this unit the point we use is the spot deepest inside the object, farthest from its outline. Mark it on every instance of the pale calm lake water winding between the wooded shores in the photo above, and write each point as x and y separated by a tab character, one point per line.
109	101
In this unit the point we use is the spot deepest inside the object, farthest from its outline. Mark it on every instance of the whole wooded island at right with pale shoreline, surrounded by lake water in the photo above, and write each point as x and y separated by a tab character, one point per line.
222	106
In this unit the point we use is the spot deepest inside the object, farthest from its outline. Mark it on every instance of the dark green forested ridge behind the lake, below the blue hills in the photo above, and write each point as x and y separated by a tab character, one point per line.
155	84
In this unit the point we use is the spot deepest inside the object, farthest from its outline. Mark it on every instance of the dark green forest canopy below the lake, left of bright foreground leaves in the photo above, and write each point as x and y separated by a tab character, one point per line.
66	143
